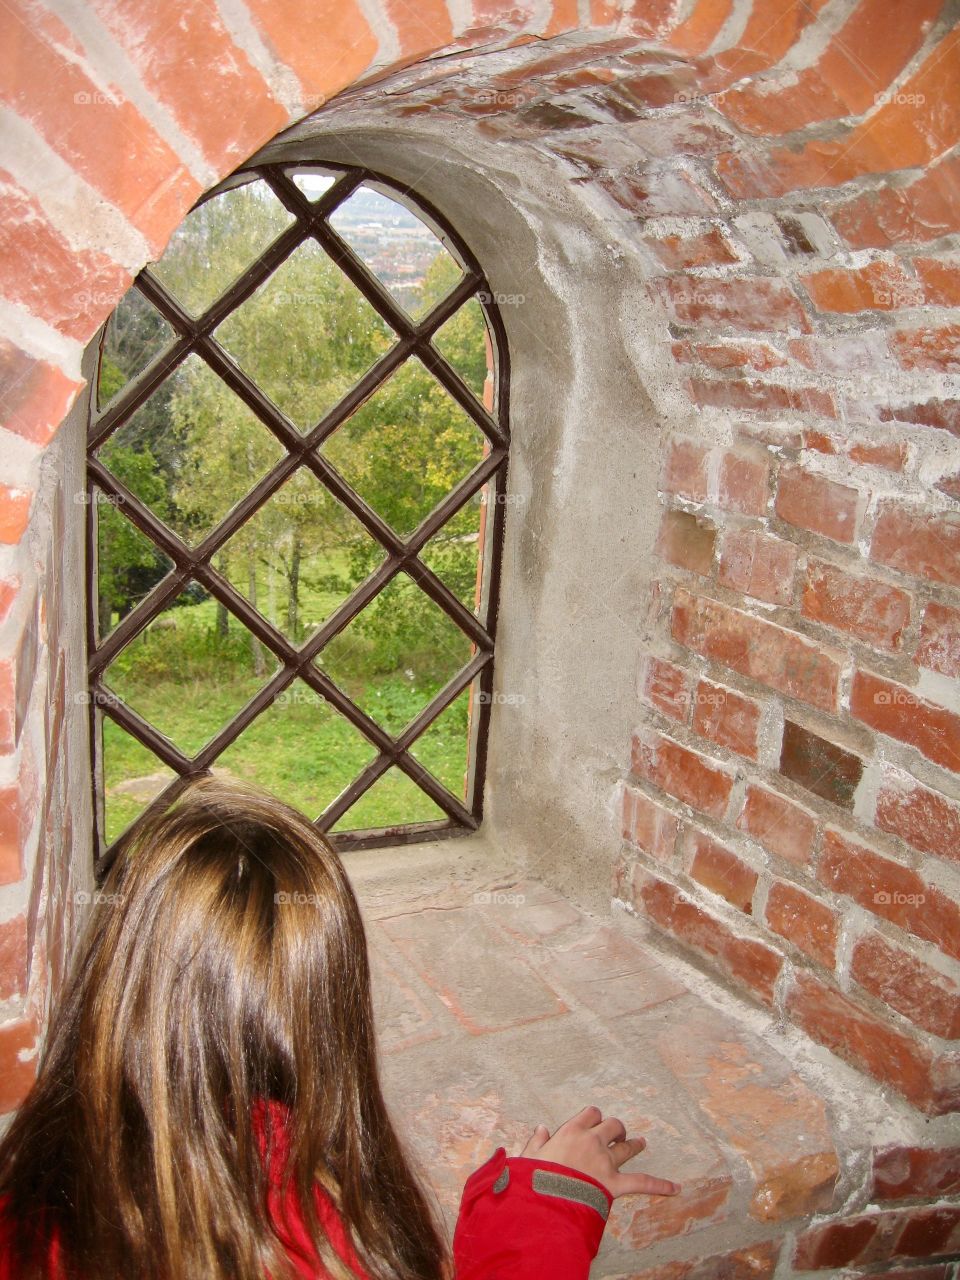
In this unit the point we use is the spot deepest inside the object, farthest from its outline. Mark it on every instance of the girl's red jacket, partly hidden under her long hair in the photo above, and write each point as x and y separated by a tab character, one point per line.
520	1219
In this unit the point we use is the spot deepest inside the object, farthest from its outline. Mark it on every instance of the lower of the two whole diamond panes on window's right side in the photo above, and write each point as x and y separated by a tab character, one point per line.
395	656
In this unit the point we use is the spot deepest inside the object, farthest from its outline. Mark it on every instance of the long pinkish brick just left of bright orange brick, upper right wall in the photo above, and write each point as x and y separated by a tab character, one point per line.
744	304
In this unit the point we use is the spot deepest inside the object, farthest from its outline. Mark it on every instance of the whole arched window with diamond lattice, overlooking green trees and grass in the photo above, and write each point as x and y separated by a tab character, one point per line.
296	476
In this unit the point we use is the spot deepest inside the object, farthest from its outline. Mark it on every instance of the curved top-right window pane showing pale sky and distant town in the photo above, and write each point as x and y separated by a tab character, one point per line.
401	250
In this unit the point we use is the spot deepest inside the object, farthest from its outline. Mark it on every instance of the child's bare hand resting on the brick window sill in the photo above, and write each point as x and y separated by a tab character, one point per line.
598	1148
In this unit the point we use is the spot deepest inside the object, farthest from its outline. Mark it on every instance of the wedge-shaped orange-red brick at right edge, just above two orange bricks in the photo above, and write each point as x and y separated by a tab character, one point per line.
917	213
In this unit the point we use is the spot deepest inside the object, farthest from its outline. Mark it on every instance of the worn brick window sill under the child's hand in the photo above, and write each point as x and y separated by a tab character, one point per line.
502	1005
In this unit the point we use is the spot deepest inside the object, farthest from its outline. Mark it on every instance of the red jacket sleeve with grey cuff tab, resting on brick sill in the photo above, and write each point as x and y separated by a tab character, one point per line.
524	1219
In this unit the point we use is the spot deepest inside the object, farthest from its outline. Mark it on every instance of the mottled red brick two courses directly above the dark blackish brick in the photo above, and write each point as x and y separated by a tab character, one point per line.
867	609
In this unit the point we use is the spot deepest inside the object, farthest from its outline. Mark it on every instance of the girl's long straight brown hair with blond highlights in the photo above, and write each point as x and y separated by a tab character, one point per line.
225	964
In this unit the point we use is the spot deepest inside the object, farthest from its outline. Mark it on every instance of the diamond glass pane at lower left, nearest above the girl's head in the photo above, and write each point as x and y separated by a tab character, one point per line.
191	670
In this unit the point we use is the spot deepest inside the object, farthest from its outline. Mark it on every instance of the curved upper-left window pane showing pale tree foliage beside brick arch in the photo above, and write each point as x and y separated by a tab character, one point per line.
218	243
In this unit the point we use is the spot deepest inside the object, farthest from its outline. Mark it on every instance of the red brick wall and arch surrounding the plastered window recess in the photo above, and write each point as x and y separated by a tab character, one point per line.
789	175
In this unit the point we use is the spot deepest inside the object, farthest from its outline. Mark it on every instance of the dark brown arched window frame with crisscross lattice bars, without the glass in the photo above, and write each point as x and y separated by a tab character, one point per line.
194	564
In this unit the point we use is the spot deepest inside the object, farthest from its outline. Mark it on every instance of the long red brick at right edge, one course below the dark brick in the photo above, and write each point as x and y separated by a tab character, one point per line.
892	892
